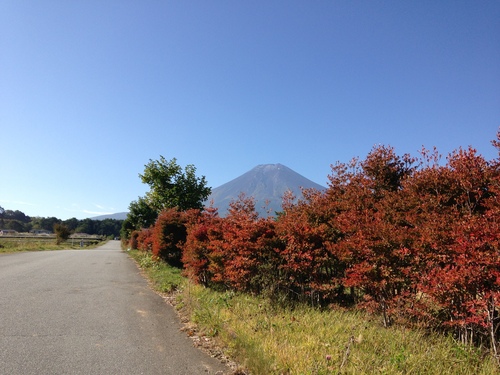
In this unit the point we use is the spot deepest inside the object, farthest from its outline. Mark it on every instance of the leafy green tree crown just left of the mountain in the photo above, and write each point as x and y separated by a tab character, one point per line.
173	187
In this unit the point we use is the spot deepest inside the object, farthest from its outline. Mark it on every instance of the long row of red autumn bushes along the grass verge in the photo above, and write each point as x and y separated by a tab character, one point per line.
415	240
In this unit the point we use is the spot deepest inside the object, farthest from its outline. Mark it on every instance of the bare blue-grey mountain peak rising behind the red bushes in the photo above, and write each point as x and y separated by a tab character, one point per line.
264	182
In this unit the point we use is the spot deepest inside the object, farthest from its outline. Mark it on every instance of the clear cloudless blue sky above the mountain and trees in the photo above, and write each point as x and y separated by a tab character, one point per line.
91	90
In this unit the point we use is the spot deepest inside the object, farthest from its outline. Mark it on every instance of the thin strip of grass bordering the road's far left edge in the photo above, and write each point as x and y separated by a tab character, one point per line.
33	244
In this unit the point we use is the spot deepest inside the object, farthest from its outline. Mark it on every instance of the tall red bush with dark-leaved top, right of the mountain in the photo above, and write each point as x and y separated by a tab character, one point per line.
374	235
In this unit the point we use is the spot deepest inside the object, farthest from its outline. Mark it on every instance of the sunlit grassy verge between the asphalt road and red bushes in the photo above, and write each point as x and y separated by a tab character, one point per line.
266	339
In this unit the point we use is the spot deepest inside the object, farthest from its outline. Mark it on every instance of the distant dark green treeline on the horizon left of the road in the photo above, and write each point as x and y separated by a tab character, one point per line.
20	222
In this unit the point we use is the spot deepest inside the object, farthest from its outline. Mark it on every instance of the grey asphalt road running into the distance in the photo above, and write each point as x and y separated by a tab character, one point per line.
89	312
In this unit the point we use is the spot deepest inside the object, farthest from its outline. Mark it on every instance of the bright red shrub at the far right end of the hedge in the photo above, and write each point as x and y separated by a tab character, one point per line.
458	245
